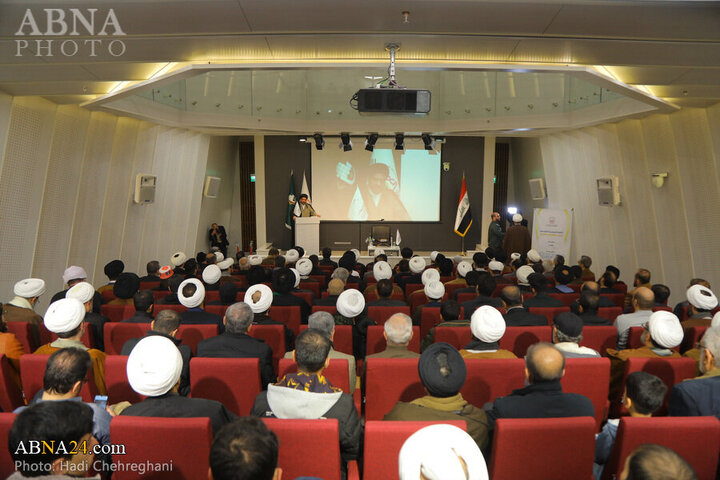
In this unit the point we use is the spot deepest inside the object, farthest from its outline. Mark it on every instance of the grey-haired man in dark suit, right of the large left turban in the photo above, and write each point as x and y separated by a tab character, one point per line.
236	343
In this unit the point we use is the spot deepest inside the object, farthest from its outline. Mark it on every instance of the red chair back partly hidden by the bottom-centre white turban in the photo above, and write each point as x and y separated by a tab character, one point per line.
383	441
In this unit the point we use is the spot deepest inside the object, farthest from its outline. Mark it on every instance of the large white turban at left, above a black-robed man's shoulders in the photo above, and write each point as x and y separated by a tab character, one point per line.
154	366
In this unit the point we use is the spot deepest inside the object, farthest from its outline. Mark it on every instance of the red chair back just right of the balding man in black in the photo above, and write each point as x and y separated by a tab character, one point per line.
589	377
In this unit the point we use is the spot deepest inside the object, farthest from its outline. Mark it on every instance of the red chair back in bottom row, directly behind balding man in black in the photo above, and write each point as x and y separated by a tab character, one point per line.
561	448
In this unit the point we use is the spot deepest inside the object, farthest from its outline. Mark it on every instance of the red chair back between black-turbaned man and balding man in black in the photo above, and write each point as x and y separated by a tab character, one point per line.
489	378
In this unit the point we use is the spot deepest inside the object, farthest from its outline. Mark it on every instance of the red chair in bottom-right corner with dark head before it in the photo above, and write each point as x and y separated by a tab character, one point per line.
696	439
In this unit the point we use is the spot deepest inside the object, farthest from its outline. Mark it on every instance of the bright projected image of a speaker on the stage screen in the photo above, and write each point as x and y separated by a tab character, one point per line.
386	184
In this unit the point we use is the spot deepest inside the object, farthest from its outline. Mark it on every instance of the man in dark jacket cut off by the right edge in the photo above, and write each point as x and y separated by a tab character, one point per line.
701	396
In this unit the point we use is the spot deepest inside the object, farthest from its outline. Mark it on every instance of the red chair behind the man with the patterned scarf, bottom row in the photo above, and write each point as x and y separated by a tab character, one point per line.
303	442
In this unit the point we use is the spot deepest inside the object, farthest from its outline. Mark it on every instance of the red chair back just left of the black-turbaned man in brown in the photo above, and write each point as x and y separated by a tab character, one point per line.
387	381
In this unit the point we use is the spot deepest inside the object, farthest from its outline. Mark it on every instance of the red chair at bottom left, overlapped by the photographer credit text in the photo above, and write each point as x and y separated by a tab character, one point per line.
151	440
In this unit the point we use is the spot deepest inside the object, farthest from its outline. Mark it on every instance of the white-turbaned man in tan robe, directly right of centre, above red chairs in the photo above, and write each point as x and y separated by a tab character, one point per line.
488	327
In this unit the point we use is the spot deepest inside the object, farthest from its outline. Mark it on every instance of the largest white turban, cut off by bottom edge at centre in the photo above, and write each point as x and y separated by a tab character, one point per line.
435	452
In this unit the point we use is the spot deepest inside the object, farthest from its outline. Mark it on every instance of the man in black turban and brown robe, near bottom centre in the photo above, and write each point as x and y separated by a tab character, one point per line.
442	372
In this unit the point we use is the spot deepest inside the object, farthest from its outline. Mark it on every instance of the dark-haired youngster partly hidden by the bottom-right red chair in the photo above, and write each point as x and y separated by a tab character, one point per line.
644	394
